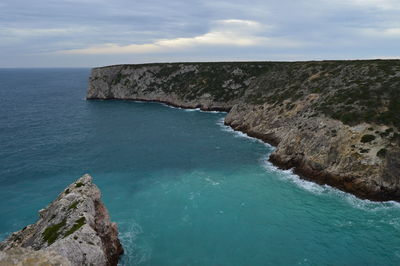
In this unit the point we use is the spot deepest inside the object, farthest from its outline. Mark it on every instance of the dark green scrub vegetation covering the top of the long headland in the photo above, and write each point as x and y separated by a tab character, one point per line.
351	91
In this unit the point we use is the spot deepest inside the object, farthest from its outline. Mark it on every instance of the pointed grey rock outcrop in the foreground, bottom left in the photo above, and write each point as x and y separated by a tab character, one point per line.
76	227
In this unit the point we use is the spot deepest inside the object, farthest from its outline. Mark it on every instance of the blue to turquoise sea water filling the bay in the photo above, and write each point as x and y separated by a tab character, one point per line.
183	188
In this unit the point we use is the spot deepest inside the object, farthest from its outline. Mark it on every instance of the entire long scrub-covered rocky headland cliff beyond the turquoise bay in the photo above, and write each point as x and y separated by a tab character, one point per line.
334	122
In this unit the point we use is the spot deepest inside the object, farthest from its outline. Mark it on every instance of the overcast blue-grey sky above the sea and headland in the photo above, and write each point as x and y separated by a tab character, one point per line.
88	33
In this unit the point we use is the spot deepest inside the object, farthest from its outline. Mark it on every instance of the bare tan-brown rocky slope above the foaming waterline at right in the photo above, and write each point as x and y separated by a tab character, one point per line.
309	153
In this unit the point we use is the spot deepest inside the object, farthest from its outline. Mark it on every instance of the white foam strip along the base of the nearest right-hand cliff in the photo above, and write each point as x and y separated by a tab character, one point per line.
328	190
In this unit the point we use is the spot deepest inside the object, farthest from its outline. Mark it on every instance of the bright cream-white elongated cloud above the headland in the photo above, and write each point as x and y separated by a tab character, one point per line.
229	32
